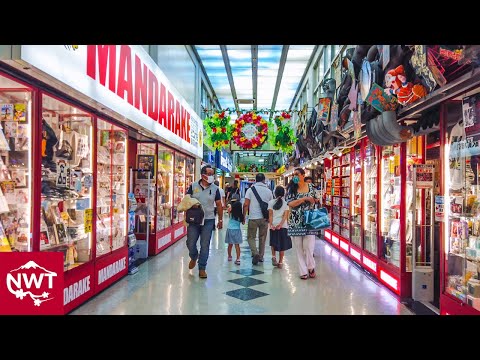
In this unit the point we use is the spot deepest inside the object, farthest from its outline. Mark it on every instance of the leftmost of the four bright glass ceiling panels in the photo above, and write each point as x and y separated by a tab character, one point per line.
211	57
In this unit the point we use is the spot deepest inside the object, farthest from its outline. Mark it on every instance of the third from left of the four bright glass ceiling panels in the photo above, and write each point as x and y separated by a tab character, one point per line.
268	64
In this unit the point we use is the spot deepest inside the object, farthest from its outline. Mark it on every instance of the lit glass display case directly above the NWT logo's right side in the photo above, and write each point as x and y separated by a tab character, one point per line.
67	181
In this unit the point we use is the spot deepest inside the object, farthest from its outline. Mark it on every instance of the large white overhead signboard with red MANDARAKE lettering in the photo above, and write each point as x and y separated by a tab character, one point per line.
125	79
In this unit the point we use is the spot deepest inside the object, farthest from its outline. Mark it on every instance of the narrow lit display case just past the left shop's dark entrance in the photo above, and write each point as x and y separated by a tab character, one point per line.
164	187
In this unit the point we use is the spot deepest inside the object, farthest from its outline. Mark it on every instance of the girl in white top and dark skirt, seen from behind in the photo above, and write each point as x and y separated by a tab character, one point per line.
278	216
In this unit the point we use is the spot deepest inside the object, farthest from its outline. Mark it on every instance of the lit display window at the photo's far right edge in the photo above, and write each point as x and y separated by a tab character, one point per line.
462	205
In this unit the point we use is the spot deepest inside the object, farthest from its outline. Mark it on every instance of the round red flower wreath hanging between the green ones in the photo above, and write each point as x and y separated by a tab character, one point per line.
250	131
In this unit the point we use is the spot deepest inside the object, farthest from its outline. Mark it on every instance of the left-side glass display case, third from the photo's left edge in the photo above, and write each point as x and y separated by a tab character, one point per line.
111	226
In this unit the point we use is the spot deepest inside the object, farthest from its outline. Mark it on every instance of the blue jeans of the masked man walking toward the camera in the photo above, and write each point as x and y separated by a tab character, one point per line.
205	234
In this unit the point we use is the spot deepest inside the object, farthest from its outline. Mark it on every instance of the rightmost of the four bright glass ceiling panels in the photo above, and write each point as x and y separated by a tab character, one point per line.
297	60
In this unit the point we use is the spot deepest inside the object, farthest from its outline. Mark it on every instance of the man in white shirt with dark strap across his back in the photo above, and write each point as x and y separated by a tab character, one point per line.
256	204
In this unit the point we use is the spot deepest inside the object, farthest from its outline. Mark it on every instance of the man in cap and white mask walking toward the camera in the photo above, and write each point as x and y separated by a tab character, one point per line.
208	194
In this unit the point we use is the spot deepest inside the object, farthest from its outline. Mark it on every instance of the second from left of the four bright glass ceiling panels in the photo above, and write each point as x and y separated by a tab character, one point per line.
240	57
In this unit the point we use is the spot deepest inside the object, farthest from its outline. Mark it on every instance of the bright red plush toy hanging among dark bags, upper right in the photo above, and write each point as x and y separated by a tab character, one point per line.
396	84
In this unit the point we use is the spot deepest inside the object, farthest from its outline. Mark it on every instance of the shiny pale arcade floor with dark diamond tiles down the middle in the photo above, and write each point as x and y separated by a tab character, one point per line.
165	285
